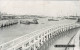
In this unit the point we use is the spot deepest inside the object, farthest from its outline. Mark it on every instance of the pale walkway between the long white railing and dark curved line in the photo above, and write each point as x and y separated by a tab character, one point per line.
63	39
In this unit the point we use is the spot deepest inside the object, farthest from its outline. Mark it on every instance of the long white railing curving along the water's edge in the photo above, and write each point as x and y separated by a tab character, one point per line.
35	39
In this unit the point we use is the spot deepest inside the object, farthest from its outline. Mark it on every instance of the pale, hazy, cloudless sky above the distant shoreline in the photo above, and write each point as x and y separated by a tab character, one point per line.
47	8
